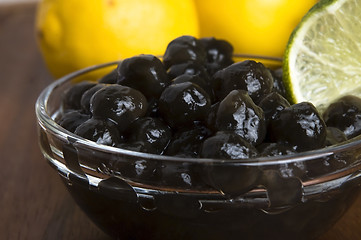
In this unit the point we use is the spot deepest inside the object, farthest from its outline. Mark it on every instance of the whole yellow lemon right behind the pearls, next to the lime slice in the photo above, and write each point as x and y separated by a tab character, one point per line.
260	27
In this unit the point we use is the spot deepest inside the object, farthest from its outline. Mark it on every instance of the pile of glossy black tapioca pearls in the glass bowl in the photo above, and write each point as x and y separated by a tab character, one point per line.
198	102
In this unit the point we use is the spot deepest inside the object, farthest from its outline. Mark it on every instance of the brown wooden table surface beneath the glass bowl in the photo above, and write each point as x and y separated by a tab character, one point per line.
33	202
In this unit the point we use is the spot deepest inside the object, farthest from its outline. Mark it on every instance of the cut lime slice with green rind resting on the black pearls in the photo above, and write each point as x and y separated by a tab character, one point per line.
322	61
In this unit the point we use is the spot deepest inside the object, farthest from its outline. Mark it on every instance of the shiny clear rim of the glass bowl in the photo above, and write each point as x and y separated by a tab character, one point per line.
46	121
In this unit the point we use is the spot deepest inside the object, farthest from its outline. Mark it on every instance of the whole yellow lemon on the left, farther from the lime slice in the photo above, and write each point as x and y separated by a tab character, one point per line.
73	34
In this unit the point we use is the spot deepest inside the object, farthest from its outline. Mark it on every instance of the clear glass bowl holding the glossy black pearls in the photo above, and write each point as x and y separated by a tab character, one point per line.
133	195
